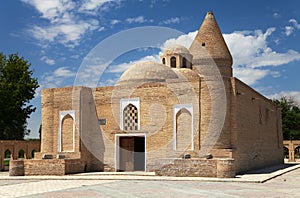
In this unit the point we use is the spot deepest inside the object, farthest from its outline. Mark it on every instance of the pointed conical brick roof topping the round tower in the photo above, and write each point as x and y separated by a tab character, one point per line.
210	42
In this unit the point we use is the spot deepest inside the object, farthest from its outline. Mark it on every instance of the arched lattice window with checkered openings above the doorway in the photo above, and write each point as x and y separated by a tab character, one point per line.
130	118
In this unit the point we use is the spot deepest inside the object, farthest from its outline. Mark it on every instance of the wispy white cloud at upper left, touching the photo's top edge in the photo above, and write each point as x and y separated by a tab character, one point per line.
66	25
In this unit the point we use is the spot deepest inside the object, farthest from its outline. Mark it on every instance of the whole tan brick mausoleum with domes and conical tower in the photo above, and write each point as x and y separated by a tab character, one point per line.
185	116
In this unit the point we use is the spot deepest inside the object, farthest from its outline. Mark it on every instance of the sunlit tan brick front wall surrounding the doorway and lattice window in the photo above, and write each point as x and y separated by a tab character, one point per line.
156	115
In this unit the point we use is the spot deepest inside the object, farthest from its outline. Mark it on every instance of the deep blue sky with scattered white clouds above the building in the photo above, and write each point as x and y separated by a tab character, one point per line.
56	36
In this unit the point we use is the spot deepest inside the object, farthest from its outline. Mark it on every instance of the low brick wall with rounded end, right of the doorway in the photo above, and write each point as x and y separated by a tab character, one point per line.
222	168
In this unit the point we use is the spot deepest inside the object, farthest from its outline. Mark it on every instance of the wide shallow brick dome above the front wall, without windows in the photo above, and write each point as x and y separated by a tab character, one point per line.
148	72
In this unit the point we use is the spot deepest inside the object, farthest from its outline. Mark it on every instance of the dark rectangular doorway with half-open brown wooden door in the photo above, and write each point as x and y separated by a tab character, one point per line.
132	153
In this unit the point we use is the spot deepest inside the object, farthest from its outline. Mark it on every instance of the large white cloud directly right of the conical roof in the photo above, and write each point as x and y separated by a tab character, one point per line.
251	52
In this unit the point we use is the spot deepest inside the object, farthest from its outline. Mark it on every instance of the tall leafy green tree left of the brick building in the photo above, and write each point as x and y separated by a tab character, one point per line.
17	88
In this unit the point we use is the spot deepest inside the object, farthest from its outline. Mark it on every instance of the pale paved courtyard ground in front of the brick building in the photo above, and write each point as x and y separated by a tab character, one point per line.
286	185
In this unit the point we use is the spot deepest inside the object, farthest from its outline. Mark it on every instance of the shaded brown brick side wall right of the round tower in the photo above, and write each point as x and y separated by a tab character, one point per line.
256	126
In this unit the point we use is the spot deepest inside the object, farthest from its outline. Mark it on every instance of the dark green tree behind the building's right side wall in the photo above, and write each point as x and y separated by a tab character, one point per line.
290	114
